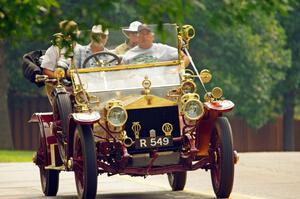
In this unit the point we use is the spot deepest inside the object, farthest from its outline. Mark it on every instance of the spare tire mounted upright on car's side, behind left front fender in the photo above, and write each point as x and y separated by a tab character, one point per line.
64	109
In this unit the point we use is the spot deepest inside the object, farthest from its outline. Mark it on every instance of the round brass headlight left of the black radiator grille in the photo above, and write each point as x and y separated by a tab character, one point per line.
117	116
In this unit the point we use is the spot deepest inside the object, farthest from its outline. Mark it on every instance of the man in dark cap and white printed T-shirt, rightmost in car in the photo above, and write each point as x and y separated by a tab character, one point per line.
146	51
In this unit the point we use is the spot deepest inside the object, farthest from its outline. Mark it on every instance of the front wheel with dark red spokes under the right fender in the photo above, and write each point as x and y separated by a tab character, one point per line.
221	149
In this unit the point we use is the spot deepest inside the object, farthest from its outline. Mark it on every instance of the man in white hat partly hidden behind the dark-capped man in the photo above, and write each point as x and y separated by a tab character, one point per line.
131	34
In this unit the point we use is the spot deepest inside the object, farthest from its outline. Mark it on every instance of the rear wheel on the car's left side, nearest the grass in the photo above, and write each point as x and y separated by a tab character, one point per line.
49	178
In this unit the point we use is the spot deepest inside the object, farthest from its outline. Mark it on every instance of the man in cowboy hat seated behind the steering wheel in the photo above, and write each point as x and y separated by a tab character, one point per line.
98	38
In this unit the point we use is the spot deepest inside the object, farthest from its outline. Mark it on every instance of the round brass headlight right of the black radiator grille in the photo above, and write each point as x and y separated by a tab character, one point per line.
193	109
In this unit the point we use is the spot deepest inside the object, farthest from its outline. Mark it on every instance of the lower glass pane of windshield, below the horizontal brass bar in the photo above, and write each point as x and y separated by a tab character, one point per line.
161	76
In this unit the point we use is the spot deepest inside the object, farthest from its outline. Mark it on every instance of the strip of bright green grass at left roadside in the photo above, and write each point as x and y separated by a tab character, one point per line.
16	156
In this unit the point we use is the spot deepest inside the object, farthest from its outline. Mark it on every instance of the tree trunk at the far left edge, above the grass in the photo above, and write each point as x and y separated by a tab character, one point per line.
5	131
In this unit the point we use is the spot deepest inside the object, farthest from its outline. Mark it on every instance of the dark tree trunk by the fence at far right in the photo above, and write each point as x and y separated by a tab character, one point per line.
288	122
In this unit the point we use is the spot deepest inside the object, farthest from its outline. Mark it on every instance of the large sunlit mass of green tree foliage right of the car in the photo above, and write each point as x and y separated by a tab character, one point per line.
248	59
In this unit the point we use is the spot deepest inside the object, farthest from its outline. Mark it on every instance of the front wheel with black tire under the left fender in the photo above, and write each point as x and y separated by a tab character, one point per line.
85	164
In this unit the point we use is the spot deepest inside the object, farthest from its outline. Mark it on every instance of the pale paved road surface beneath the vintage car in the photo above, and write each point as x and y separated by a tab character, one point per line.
257	176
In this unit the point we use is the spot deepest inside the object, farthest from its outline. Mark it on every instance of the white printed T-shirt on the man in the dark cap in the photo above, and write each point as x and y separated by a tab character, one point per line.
157	52
